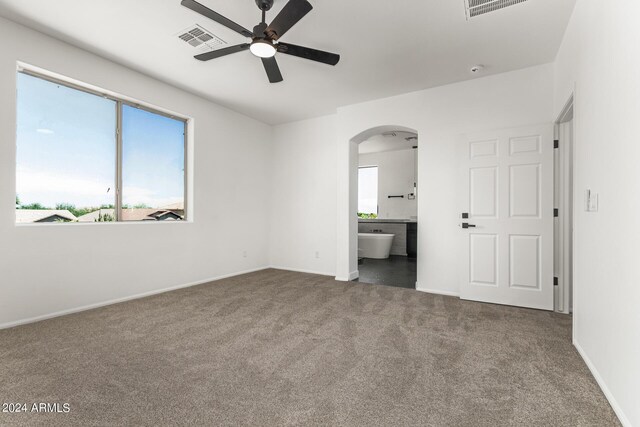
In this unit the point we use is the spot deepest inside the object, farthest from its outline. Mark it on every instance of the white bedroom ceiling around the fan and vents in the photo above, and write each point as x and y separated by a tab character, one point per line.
387	47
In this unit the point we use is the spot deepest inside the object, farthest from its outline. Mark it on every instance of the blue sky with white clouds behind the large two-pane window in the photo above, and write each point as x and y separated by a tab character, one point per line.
67	149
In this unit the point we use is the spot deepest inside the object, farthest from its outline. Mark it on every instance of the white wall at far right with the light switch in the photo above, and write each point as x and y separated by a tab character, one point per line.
599	57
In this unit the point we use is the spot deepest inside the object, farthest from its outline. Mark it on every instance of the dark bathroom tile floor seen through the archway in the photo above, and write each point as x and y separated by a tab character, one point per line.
398	271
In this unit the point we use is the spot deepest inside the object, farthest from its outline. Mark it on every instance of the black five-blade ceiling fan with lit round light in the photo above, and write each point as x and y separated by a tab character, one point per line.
265	38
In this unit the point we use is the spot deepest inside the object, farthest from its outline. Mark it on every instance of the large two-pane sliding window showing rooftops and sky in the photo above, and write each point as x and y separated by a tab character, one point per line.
88	157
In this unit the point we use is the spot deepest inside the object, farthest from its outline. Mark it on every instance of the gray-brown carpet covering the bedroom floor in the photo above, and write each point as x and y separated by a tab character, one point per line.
282	348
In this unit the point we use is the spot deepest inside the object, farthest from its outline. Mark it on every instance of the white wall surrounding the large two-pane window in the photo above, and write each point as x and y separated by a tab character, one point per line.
55	268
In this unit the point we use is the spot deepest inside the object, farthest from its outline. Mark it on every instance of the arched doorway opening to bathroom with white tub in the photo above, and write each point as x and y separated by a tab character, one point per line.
387	208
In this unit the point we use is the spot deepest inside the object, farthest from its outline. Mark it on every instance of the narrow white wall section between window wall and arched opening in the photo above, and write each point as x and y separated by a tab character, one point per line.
303	198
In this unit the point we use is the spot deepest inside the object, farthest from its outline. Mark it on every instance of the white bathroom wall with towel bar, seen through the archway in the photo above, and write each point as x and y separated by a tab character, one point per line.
396	175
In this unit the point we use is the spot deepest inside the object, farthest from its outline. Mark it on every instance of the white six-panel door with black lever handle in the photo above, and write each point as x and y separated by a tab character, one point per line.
507	205
